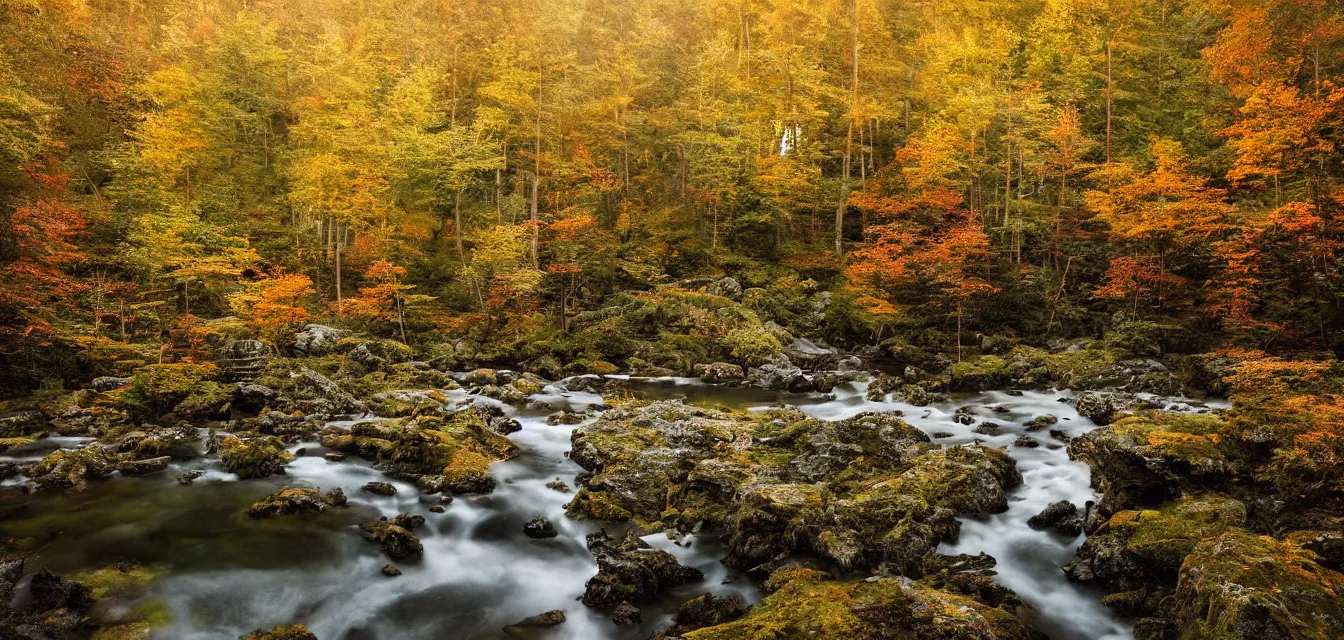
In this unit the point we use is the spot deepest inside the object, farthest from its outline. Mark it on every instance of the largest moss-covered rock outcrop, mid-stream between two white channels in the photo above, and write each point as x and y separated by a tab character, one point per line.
858	493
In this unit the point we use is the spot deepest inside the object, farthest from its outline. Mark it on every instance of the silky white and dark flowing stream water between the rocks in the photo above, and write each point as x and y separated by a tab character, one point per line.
225	575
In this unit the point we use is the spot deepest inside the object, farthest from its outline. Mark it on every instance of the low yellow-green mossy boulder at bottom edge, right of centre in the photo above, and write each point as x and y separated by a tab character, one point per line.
807	604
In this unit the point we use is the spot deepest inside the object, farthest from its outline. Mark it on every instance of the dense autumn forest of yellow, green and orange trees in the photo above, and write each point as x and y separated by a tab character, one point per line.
1027	166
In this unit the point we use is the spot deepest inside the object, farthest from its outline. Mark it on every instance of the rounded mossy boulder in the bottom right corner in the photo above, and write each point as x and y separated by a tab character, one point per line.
1247	587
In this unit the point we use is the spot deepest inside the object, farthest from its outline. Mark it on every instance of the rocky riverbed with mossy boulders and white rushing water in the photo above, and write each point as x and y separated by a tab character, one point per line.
411	504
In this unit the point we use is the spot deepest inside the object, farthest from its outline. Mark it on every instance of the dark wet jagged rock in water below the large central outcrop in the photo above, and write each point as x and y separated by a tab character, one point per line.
630	571
